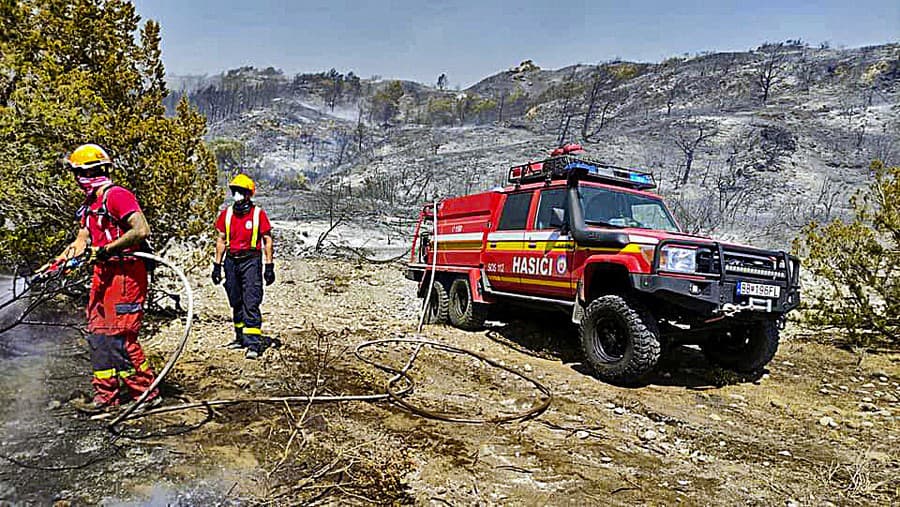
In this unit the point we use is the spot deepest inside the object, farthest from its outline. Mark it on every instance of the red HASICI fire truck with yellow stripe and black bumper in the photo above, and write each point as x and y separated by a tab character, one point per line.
589	238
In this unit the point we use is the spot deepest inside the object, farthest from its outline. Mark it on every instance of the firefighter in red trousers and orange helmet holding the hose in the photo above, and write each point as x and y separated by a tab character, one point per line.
112	229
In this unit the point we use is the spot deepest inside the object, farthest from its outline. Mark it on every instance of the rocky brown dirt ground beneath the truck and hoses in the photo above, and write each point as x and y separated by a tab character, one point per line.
819	427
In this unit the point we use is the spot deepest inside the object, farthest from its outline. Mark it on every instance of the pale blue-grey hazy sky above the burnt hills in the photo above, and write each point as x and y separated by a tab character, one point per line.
470	40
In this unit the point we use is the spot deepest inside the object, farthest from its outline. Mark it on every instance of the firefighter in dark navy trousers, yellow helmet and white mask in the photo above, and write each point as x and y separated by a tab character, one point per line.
245	237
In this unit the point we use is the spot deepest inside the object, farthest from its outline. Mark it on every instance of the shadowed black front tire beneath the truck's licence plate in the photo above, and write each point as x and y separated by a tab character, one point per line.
744	348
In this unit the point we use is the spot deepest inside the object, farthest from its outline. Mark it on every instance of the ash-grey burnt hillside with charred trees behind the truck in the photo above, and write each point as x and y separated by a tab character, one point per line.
748	144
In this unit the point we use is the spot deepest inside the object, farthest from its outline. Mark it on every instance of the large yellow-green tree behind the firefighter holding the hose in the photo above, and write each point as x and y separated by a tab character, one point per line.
79	71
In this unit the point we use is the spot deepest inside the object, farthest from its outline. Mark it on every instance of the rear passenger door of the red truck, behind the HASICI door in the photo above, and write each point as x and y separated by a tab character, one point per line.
504	242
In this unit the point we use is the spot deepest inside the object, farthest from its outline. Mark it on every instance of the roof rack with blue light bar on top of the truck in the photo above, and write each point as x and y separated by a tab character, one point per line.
561	167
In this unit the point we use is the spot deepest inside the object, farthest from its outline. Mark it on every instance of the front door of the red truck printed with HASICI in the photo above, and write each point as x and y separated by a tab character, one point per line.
545	268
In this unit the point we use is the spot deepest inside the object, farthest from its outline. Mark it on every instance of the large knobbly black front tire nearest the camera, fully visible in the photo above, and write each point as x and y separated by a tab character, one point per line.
619	339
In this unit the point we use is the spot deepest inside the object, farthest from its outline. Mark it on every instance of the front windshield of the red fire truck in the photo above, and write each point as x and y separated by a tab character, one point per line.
623	209
